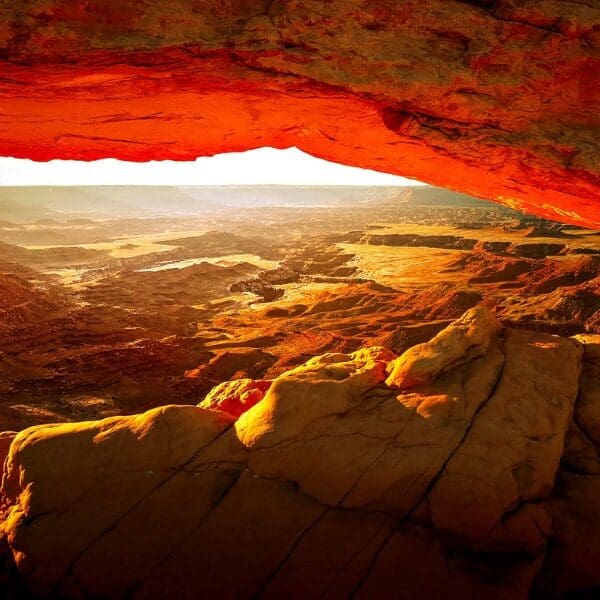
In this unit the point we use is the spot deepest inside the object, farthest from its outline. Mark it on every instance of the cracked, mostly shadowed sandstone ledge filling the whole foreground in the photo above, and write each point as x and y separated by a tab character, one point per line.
334	484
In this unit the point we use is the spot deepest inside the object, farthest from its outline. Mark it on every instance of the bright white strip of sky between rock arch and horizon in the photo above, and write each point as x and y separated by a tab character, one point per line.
260	166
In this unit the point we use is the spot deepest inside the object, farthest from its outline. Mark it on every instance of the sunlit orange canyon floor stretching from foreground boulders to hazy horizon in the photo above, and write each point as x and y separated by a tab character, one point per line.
101	315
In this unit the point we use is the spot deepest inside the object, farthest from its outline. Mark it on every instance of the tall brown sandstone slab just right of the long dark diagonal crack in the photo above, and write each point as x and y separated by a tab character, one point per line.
515	443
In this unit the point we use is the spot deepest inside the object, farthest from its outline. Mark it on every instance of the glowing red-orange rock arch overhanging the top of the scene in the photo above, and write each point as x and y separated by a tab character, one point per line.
497	99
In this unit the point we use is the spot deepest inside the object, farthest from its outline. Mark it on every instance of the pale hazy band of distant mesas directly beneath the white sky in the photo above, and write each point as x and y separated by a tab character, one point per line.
20	204
